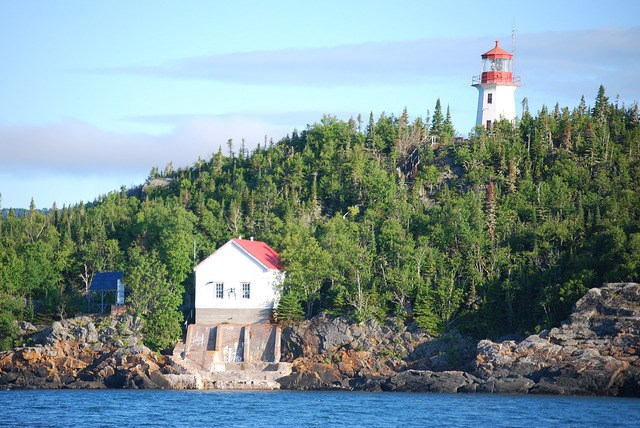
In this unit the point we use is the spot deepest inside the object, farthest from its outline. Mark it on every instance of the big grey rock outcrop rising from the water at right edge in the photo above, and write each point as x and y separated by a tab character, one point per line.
596	352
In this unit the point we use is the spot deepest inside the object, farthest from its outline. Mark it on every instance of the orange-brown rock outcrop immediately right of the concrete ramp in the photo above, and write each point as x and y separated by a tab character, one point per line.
335	353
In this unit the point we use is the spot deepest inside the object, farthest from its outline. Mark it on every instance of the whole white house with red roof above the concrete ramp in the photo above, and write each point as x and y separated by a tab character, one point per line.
238	283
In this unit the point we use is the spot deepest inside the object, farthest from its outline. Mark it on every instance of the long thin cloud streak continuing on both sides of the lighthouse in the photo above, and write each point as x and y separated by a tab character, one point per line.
555	56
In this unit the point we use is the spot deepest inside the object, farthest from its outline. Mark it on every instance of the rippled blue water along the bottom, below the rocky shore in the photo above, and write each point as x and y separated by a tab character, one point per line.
124	408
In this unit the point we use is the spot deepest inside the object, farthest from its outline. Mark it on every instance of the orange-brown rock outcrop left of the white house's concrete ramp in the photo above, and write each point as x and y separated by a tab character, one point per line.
84	352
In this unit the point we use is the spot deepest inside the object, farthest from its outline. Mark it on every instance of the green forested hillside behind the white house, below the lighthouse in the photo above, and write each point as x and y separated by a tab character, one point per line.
499	233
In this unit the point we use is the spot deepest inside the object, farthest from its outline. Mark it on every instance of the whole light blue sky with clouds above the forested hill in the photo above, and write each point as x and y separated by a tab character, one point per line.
93	95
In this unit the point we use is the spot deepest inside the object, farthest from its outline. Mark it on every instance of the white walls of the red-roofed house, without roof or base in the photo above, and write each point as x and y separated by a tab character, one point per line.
232	267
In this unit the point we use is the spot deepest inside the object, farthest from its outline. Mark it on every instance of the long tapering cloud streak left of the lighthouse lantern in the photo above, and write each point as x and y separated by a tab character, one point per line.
352	64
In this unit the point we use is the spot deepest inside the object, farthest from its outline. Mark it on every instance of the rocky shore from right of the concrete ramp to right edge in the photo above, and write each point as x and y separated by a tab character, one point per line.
596	352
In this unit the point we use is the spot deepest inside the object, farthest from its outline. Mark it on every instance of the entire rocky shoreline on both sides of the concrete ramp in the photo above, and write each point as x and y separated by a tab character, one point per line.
595	352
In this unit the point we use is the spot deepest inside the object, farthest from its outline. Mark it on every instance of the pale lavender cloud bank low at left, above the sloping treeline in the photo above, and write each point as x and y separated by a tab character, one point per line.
79	147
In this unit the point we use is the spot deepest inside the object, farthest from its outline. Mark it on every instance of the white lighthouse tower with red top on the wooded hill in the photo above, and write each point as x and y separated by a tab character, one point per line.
496	87
